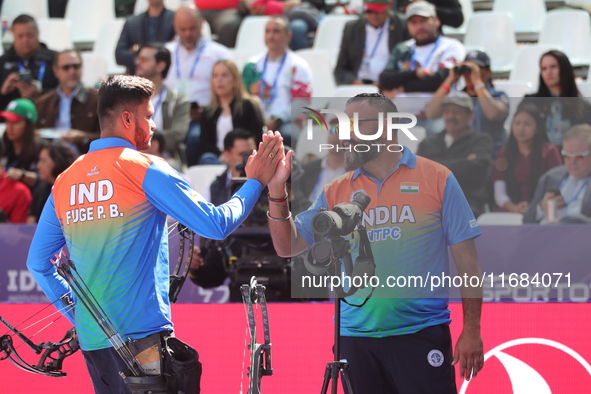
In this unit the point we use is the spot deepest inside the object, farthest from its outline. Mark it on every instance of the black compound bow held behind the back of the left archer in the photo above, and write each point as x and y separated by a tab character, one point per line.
52	354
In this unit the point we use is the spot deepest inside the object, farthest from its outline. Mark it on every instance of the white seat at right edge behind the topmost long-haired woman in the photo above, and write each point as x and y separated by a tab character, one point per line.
570	31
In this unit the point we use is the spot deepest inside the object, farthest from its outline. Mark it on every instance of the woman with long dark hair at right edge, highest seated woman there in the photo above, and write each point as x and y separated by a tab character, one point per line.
557	82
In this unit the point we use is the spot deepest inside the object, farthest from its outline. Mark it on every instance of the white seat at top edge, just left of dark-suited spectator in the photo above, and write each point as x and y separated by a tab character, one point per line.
87	17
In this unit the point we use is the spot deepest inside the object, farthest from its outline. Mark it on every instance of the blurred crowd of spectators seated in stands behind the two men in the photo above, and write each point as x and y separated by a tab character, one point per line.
528	155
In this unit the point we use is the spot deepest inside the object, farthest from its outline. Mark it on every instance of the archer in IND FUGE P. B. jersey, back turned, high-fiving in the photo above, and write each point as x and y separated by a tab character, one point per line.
109	208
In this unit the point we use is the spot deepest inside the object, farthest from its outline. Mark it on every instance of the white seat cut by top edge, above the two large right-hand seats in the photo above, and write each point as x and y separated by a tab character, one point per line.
527	16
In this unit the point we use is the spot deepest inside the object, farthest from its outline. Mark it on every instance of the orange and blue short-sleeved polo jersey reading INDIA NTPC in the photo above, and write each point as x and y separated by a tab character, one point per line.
414	214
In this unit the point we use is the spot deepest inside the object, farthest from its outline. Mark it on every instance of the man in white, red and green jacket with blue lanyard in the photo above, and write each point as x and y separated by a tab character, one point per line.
278	77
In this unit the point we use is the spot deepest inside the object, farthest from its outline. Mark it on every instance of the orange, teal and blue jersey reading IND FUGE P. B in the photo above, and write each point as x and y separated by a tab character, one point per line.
109	208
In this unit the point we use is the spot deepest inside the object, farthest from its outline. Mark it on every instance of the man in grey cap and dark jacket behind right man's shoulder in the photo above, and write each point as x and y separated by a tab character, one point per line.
458	147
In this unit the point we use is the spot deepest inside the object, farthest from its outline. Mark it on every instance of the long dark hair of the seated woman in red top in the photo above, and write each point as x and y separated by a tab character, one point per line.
540	138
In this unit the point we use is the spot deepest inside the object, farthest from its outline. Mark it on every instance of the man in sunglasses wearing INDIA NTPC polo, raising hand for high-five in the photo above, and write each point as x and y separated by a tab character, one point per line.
399	341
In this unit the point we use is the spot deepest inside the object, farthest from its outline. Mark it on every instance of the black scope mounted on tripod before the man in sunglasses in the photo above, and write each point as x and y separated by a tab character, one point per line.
343	218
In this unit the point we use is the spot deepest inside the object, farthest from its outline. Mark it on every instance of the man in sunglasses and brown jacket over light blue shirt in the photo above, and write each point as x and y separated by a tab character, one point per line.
71	107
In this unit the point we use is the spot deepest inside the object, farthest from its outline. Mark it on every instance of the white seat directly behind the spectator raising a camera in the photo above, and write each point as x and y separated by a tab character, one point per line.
494	33
